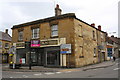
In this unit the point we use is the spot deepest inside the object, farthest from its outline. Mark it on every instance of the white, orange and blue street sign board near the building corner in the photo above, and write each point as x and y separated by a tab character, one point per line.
65	48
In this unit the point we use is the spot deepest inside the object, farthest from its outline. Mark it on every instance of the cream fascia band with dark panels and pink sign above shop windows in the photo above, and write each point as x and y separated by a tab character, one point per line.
42	43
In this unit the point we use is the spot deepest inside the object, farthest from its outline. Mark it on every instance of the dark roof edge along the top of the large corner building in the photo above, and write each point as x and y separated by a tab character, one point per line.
68	15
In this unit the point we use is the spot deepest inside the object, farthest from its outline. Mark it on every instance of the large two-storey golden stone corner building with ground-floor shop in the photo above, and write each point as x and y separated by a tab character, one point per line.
87	42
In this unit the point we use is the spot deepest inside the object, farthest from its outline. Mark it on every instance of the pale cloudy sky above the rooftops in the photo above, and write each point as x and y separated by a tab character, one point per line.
100	12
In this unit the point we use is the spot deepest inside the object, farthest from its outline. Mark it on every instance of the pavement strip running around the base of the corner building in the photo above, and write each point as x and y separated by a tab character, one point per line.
5	67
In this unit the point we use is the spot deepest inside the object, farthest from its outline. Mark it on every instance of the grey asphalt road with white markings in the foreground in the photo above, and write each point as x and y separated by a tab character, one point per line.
108	72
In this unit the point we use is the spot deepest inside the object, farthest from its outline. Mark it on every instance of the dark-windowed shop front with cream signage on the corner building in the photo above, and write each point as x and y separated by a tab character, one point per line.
43	53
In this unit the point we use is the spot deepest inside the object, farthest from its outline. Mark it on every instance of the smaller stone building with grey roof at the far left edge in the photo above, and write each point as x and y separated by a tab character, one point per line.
5	45
